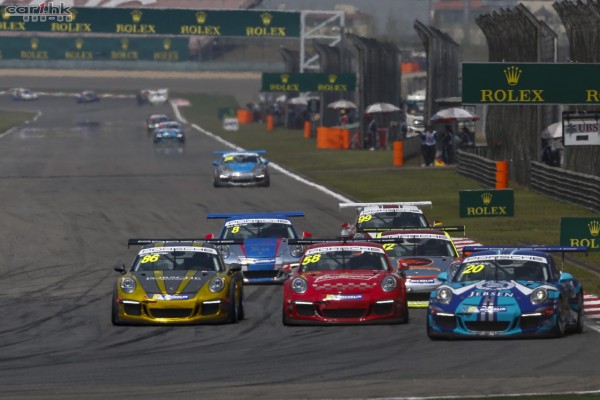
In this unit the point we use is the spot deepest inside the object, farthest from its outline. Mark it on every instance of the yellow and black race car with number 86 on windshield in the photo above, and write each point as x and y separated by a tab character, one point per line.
177	282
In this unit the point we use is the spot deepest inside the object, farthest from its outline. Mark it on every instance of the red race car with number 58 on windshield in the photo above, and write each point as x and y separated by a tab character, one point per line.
345	282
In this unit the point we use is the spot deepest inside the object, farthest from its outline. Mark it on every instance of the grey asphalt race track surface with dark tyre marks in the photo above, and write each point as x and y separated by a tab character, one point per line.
82	179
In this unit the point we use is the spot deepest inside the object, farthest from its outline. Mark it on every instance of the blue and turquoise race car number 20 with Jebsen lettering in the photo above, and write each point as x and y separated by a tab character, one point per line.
506	292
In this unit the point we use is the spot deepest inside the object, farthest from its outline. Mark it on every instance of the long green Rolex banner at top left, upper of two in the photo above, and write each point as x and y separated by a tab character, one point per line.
154	21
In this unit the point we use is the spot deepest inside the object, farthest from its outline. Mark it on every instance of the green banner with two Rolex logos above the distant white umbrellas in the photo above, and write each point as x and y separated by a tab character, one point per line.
308	82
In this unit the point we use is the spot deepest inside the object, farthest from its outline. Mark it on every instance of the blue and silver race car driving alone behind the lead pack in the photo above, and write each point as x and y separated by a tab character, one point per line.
241	168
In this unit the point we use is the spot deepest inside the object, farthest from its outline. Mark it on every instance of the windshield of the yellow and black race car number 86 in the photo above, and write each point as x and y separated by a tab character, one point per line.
177	260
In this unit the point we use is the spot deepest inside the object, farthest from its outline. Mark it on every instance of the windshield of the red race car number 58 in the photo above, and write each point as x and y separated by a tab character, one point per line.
343	260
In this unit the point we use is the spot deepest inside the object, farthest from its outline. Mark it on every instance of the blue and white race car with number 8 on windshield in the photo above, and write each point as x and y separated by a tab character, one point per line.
265	255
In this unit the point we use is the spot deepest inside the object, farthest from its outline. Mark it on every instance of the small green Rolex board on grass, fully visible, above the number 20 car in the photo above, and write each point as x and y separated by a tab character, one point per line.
486	203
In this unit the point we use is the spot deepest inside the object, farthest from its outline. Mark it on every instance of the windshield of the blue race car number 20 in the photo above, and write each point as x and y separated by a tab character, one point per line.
502	270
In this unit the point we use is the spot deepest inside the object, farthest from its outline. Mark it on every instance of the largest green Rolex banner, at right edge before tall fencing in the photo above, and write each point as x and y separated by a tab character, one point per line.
531	84
